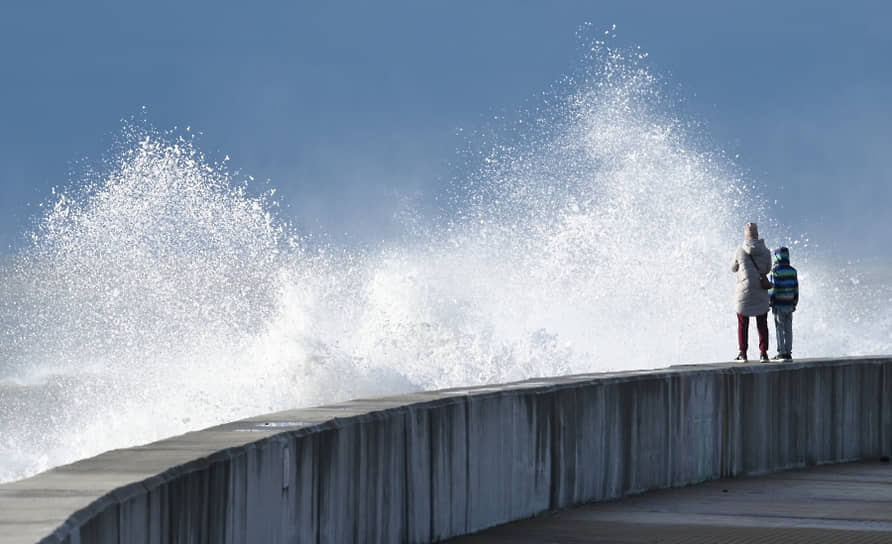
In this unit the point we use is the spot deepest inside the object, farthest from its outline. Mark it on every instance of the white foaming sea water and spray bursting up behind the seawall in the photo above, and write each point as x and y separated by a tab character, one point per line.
158	296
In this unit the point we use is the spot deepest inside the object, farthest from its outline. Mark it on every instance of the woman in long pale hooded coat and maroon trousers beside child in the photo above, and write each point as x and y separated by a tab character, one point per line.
751	260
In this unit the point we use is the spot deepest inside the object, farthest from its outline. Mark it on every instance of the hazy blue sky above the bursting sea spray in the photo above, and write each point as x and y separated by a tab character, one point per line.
341	104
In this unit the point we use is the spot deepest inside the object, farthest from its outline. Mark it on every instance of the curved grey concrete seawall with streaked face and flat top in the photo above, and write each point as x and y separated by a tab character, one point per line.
428	466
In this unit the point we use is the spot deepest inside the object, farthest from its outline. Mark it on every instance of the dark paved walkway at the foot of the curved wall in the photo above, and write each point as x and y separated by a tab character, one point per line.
850	503
